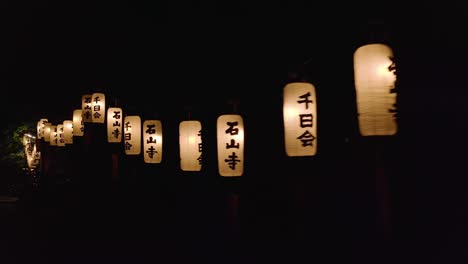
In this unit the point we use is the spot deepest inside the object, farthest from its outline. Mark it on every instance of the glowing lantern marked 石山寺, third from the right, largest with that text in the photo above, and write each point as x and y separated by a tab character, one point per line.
230	141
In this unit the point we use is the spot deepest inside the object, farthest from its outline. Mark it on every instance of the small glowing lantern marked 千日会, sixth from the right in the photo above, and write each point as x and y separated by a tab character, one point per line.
132	135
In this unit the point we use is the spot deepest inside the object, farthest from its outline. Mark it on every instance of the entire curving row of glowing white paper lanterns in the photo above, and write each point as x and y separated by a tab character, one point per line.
375	79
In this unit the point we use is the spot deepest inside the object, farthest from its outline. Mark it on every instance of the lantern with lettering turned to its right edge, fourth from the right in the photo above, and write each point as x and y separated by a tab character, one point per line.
190	145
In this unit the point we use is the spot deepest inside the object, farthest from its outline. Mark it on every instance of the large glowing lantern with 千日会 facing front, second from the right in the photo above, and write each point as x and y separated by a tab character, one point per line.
300	119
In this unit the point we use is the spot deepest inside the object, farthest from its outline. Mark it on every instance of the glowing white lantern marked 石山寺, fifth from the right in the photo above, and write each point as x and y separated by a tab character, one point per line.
152	141
